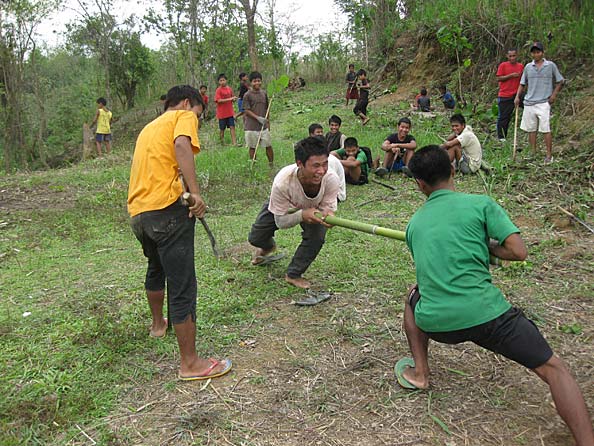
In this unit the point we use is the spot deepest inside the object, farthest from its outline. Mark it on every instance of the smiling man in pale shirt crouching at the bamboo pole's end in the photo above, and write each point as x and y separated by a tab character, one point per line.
309	187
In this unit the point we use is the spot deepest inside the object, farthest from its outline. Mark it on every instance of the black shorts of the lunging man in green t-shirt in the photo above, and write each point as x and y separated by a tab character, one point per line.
512	335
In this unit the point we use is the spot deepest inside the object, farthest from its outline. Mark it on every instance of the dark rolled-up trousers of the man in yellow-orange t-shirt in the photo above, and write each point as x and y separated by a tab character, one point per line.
167	239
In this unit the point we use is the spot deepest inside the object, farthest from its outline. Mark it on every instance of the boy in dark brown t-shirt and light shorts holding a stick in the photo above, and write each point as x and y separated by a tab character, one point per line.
256	122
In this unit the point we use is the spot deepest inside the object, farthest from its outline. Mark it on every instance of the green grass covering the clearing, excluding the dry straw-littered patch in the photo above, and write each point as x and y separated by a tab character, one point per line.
72	262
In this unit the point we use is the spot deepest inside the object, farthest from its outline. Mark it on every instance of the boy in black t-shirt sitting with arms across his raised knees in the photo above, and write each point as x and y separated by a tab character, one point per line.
399	146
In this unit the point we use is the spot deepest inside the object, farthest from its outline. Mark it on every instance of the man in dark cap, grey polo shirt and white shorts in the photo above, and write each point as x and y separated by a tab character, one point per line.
537	80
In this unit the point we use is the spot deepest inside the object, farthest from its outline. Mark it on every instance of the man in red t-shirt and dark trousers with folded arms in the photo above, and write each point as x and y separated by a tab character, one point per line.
508	76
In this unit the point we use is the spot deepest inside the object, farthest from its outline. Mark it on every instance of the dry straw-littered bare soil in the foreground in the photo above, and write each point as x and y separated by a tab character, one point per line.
324	376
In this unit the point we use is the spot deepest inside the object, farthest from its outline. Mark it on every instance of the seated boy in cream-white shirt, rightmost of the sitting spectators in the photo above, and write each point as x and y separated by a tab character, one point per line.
463	146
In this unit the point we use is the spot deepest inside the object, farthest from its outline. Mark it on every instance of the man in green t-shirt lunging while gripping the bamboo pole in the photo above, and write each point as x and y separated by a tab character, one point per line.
454	300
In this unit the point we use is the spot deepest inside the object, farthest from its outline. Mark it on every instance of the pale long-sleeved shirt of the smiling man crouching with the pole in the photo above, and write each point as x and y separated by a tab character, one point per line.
287	192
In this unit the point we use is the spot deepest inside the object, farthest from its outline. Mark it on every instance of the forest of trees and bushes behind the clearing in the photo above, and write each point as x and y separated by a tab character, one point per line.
47	93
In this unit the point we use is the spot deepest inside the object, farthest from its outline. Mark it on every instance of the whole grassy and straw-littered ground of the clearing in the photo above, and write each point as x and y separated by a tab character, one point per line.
79	367
